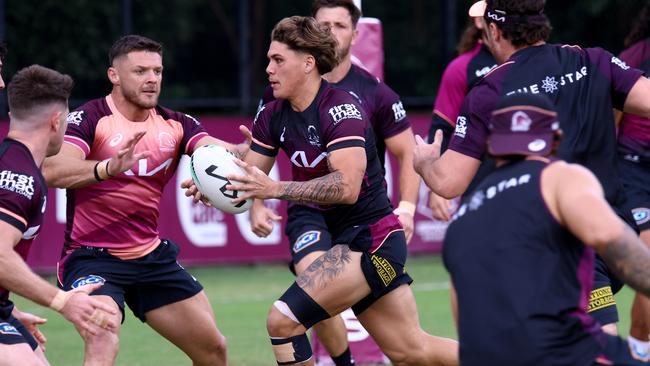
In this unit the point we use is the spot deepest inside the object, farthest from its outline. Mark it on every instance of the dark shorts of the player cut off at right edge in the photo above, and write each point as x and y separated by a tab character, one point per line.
635	178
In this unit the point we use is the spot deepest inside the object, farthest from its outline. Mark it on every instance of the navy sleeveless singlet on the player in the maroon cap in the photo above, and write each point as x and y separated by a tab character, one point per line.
522	280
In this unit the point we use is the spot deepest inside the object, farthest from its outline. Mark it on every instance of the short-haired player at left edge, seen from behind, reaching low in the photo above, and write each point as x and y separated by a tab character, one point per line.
38	101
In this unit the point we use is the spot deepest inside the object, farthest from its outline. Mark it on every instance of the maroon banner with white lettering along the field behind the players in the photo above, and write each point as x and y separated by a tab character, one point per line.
206	235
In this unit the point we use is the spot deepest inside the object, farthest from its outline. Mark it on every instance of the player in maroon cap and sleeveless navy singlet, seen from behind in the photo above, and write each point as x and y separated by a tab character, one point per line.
521	250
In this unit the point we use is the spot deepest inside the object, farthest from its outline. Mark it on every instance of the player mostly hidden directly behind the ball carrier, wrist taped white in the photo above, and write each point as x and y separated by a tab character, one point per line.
308	235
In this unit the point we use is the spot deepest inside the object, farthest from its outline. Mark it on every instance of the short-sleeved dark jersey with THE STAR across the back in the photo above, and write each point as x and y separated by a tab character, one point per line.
583	84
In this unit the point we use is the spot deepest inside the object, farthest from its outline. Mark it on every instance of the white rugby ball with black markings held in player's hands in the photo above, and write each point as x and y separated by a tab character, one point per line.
210	165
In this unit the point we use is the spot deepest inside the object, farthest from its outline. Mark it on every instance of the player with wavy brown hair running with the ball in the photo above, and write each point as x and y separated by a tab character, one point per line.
343	179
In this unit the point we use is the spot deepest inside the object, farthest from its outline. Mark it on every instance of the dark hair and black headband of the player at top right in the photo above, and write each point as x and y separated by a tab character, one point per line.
528	31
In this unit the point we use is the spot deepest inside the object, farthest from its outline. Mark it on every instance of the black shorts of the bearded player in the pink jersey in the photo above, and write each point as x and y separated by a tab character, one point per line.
145	283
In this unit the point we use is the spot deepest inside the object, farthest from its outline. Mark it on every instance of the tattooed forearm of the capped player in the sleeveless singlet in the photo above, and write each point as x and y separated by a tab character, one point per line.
629	259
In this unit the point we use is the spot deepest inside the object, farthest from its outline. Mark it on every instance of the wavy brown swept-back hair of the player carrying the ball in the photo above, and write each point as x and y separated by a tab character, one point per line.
304	34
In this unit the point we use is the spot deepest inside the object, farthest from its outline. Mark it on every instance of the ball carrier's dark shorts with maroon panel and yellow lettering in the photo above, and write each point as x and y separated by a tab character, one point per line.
383	246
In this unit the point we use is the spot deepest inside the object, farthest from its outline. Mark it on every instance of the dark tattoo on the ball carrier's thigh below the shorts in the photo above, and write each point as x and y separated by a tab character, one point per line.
325	268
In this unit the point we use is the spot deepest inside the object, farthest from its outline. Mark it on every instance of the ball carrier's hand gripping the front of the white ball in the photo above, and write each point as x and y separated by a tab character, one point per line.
255	184
